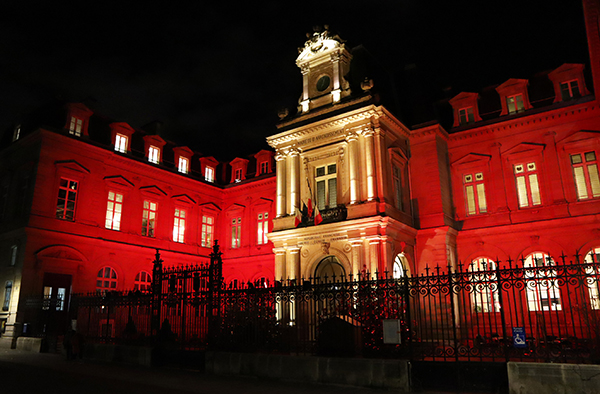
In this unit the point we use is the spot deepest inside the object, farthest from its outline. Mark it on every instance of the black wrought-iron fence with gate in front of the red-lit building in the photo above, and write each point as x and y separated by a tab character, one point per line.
537	310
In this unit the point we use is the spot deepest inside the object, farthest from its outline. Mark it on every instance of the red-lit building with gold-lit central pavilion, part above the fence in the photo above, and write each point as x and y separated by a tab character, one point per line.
83	210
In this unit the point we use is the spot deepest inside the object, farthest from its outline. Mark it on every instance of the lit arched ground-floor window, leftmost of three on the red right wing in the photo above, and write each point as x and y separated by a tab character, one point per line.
484	285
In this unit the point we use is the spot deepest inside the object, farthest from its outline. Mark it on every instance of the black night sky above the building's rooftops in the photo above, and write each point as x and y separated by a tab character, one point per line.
216	73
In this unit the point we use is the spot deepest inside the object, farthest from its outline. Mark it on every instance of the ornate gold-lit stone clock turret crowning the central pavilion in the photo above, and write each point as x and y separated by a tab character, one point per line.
324	61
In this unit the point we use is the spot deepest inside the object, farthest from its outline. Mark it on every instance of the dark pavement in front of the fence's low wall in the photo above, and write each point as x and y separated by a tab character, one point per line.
25	372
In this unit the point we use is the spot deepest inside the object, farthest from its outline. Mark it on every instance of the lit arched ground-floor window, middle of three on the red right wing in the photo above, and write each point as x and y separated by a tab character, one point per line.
543	293
